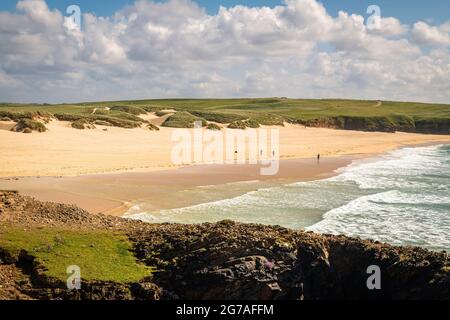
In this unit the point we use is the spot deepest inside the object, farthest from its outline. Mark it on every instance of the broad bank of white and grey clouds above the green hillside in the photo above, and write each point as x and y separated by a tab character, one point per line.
175	49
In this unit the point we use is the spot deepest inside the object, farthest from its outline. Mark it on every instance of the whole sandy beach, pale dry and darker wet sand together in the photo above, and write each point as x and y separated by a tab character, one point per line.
105	171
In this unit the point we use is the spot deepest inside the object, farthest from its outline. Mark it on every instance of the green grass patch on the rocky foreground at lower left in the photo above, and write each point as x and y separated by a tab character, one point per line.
101	255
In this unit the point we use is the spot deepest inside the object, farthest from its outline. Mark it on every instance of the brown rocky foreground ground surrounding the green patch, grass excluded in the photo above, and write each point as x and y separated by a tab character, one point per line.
226	260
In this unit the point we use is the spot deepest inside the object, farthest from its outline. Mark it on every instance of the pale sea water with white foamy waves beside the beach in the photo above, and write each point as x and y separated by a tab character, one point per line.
402	198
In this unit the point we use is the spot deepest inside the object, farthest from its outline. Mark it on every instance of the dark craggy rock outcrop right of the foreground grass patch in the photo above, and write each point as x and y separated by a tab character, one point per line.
228	260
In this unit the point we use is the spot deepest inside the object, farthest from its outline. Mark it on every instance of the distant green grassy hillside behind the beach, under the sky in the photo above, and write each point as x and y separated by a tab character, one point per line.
341	114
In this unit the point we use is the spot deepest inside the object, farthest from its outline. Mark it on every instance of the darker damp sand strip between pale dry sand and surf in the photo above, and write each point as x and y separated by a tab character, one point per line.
166	189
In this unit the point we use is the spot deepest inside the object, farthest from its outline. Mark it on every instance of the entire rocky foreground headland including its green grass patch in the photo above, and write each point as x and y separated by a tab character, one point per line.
26	222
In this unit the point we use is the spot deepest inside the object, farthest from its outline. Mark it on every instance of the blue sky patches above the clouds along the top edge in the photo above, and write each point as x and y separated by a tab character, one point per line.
408	11
